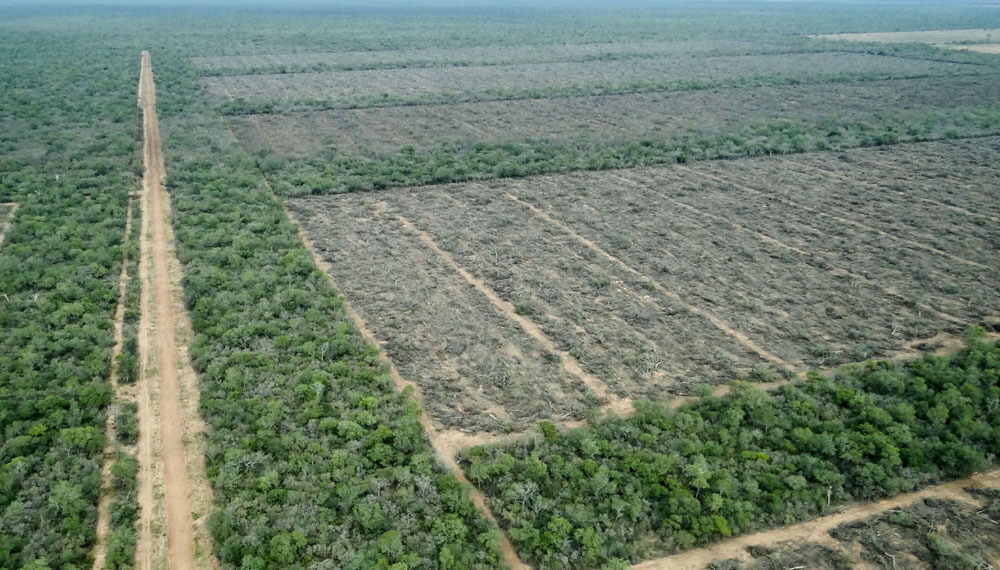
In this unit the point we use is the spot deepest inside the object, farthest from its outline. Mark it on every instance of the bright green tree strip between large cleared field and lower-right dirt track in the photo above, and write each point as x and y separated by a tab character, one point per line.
665	480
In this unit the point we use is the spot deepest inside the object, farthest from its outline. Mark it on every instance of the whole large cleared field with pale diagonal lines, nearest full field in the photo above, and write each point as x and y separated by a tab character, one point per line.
798	265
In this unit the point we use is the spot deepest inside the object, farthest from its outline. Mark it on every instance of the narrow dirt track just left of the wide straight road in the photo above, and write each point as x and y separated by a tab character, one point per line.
104	497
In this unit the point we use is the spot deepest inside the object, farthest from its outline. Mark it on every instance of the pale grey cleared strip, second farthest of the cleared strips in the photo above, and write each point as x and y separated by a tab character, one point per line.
347	87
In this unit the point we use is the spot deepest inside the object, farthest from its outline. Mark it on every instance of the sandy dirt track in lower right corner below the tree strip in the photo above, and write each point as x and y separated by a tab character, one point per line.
816	530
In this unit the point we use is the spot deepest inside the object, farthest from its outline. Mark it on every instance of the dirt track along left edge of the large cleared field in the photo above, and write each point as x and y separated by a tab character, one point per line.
444	445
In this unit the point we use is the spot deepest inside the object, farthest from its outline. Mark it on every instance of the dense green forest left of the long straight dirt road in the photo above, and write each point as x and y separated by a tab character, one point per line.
70	134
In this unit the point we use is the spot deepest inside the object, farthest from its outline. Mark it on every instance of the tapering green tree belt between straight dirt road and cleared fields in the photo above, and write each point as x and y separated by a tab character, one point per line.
314	456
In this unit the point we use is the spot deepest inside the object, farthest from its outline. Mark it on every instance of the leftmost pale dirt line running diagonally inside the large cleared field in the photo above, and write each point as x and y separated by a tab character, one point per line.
570	364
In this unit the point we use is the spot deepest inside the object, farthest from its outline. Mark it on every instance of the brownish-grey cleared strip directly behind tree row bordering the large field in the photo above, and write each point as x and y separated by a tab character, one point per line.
604	118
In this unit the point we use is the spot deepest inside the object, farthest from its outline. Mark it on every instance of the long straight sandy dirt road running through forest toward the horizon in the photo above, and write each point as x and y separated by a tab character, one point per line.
160	285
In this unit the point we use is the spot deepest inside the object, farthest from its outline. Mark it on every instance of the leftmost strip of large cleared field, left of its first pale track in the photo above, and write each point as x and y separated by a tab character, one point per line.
469	359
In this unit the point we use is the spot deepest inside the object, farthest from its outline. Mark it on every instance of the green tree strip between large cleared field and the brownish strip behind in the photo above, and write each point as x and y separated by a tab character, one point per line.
332	171
